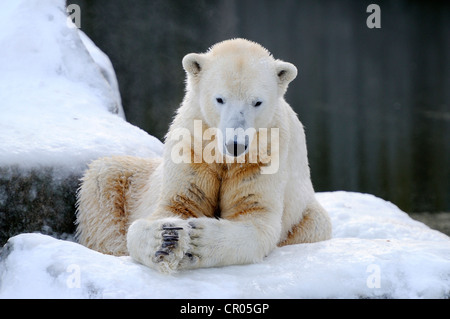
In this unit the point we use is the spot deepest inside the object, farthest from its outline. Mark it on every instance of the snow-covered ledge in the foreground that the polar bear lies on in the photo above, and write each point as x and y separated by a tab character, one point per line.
377	251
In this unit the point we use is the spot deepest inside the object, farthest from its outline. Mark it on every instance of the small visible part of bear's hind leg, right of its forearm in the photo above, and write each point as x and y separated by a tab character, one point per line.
314	226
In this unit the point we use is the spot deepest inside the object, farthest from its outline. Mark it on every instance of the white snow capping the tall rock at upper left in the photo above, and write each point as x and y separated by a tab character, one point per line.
60	104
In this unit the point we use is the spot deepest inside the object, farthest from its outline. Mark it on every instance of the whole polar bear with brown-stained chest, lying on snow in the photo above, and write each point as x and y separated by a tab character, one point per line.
213	199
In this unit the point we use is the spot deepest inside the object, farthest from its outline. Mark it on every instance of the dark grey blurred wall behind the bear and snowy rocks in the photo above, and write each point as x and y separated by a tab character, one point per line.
375	103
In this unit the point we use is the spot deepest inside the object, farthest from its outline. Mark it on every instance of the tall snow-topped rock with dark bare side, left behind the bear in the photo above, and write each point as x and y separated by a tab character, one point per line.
60	108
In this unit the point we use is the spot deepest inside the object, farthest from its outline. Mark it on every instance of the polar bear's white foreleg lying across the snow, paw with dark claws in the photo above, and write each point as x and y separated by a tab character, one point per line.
171	244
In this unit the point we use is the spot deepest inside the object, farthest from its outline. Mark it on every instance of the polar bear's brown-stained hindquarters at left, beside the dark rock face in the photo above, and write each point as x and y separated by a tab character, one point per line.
105	206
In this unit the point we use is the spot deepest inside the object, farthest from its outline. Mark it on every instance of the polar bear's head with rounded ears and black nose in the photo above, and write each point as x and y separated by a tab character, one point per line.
238	85
